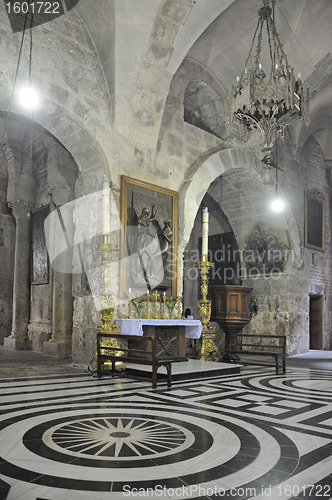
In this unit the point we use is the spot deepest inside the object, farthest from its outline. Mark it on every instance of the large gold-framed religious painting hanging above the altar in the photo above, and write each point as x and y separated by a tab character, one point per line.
149	216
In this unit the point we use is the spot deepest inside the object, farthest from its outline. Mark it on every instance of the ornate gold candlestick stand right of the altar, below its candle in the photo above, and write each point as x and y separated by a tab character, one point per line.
208	351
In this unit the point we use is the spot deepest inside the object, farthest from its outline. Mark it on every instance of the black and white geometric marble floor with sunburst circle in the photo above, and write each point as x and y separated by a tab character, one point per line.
250	435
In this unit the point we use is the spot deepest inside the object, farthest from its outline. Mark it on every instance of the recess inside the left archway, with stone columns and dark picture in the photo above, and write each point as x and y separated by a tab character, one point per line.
41	176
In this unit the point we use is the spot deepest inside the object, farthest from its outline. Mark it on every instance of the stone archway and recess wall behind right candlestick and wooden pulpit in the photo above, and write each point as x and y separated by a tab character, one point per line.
267	245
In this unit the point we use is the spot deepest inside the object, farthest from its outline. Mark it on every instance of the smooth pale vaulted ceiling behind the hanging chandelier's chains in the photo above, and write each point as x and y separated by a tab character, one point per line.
304	27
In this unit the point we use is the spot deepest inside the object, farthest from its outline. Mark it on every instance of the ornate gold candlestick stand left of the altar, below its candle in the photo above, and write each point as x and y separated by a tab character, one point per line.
106	298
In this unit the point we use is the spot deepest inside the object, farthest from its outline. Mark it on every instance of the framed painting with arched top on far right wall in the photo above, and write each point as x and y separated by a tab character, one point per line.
315	220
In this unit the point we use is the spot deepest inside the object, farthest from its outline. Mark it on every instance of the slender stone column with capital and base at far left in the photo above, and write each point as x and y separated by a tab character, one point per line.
18	339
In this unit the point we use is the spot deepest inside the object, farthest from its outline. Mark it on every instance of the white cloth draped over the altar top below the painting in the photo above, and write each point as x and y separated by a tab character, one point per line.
193	327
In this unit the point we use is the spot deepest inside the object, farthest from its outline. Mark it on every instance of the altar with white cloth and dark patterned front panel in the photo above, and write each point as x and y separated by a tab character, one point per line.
170	335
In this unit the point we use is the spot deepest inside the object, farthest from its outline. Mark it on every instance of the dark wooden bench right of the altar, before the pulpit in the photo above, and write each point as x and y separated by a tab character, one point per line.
259	345
